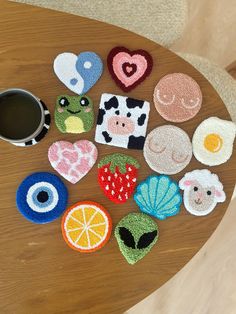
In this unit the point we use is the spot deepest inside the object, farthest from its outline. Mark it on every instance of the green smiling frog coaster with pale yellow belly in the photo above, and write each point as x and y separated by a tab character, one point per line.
74	114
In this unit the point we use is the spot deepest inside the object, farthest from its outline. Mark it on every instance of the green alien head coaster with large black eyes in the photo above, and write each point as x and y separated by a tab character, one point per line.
136	234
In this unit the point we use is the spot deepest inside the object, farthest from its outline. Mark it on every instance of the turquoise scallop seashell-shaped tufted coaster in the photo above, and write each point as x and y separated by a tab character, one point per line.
158	196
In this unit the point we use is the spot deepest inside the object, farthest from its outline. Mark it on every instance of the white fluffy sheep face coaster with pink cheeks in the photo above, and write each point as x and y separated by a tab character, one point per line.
202	191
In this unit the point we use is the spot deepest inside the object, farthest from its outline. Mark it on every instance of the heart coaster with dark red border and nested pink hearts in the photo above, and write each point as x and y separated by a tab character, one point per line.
129	68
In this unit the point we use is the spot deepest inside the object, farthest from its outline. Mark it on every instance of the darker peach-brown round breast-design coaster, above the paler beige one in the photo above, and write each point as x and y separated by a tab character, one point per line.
177	97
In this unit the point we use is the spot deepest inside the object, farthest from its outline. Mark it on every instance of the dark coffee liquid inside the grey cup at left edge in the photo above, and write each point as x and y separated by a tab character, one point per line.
20	115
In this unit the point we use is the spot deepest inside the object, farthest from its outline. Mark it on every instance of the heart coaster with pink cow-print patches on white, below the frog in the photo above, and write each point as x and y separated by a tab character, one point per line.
72	161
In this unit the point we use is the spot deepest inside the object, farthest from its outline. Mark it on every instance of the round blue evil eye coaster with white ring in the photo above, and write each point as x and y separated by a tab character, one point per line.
41	197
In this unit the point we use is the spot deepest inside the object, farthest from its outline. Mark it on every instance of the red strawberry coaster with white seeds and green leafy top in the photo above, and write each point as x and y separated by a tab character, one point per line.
117	176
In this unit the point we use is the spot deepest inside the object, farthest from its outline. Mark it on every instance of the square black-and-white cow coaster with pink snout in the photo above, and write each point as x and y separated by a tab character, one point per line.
122	121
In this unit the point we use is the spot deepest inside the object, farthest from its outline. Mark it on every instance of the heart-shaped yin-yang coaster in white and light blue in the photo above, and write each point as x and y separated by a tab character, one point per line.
78	73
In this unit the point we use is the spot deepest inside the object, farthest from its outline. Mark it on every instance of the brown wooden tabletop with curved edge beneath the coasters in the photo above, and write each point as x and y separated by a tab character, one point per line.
39	273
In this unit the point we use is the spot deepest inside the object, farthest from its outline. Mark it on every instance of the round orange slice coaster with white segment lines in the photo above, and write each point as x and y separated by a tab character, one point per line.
86	226
